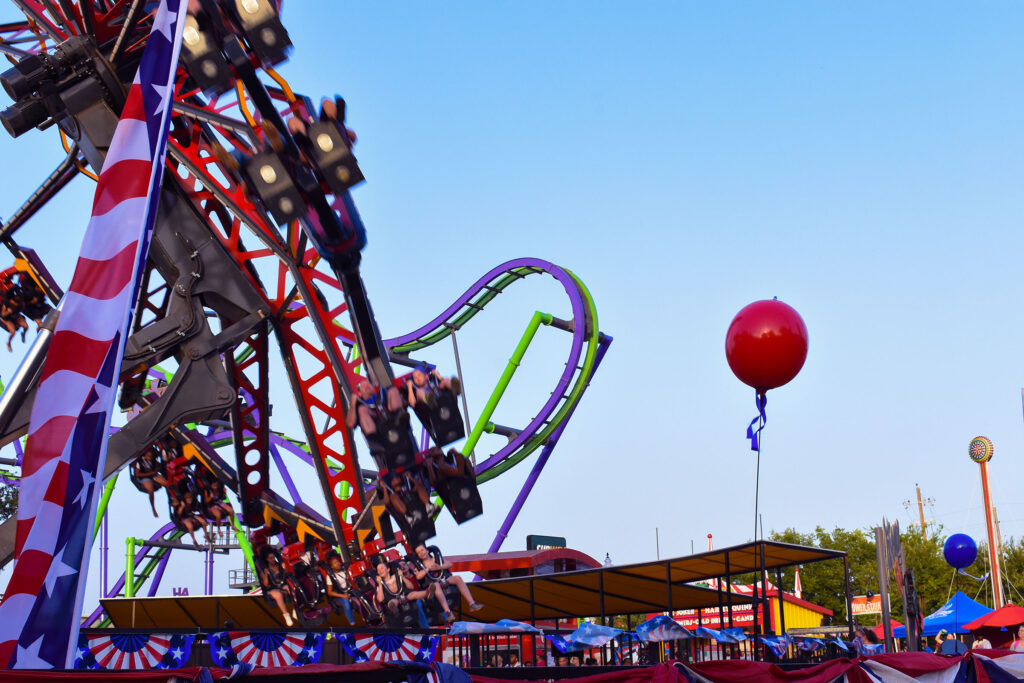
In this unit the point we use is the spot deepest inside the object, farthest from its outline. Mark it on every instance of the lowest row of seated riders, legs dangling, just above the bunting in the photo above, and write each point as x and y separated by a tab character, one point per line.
309	581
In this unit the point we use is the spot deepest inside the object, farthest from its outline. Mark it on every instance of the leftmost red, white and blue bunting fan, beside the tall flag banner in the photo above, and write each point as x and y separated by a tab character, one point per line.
133	652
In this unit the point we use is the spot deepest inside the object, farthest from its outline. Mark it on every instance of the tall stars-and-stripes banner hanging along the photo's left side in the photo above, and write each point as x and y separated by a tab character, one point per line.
67	448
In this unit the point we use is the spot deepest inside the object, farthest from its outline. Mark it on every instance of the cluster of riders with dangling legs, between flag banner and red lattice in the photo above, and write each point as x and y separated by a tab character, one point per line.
196	497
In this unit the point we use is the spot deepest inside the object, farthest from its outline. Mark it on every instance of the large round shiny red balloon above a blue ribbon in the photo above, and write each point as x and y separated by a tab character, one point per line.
766	345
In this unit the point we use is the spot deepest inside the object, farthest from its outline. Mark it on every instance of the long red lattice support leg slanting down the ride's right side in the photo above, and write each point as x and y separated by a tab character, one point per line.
309	304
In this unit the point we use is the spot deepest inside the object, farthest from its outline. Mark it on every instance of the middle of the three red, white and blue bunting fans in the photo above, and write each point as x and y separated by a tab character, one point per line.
262	649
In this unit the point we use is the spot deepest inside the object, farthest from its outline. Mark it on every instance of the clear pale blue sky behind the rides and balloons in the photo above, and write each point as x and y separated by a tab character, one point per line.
862	162
